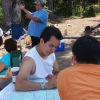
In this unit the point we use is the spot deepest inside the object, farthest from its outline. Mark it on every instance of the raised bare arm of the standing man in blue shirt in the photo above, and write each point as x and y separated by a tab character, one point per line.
28	14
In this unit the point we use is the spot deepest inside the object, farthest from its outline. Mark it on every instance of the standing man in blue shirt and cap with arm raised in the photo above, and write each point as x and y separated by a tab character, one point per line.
38	22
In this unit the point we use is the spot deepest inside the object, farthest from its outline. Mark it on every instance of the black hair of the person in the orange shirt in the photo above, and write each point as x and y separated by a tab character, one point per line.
87	50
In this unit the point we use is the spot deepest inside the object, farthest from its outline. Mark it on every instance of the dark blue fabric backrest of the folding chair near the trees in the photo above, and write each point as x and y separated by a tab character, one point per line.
17	30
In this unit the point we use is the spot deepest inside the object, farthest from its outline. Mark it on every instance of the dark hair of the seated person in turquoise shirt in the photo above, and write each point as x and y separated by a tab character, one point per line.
10	45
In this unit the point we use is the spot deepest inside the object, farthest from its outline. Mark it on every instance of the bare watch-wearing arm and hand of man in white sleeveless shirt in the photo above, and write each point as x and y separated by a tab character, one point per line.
23	84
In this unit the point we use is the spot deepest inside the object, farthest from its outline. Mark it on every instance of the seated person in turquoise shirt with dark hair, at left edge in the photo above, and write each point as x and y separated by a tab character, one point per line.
9	45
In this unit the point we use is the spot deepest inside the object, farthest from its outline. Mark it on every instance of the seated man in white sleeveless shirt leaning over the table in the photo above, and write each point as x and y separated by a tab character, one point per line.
40	63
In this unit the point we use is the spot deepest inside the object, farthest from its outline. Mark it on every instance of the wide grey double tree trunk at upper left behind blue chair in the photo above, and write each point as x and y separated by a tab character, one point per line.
11	12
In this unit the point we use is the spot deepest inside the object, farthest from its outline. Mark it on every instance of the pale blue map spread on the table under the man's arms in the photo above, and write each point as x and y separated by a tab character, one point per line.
9	93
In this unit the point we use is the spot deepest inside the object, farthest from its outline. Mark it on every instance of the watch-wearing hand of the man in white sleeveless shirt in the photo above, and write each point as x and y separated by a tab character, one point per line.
52	83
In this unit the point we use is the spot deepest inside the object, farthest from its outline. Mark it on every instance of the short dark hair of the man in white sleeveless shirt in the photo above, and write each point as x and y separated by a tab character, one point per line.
51	31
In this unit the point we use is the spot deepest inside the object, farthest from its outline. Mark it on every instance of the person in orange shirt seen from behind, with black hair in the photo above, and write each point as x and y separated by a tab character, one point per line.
81	81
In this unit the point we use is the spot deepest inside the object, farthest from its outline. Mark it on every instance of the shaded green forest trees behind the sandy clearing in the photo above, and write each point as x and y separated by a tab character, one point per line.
56	8
